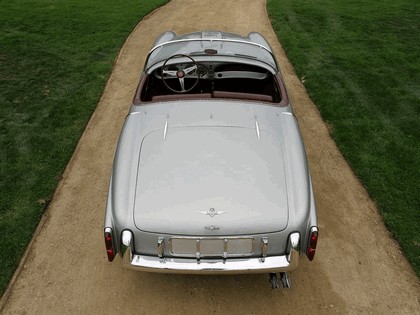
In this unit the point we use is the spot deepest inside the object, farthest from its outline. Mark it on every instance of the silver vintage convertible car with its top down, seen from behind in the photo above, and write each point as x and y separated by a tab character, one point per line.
210	173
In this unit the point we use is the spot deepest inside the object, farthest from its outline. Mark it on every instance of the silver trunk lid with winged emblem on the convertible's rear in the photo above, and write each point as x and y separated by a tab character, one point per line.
210	180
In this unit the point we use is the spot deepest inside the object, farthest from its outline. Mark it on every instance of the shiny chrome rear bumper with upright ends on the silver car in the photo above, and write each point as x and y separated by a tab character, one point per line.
210	266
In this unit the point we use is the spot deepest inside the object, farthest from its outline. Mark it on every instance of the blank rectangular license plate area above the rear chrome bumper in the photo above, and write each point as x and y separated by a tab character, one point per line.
211	247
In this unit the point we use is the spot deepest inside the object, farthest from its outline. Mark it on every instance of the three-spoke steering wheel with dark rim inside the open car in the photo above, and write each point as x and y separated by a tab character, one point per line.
180	71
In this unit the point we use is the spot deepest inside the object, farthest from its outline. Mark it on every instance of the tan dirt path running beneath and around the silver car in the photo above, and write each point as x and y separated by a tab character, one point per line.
358	267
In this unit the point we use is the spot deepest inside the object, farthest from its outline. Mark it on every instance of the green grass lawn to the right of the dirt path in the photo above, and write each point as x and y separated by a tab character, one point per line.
361	63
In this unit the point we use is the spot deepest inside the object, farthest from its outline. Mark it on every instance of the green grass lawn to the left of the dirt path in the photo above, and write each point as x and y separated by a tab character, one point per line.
55	58
